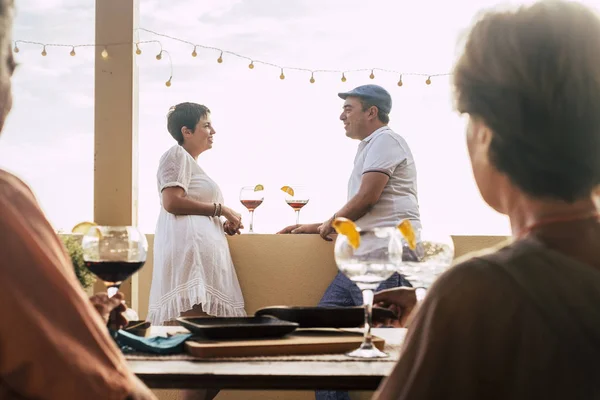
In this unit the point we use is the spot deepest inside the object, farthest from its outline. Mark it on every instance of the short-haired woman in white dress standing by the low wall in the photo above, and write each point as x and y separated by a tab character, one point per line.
193	272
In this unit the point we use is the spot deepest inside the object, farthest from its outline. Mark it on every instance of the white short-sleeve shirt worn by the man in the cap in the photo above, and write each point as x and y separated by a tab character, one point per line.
386	152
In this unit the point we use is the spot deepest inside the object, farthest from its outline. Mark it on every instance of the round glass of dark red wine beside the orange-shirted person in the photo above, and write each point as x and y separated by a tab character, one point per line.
114	253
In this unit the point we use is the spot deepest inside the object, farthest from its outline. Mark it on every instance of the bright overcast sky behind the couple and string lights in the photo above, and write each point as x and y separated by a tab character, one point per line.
269	131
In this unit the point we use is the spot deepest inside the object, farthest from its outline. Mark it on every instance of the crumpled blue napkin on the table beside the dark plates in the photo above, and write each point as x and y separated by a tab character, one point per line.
157	344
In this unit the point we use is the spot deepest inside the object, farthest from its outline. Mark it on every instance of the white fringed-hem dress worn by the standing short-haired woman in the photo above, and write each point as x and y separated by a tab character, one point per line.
192	262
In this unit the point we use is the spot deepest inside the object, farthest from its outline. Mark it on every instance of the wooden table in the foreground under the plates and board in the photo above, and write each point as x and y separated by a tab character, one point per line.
275	375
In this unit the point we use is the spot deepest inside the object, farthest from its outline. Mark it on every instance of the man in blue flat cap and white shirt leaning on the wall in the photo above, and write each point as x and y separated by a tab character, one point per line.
382	189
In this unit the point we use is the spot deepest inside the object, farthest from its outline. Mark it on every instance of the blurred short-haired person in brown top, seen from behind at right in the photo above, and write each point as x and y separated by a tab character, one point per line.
521	321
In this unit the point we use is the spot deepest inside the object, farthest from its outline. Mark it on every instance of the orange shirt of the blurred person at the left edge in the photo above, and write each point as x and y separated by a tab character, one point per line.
53	343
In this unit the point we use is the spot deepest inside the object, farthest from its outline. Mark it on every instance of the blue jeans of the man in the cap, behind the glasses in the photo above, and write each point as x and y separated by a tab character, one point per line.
342	292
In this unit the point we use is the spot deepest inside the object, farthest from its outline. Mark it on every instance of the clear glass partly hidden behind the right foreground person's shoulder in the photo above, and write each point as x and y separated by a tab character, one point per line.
421	266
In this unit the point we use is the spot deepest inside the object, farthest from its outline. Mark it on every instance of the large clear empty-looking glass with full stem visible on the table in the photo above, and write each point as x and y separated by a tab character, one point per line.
368	264
